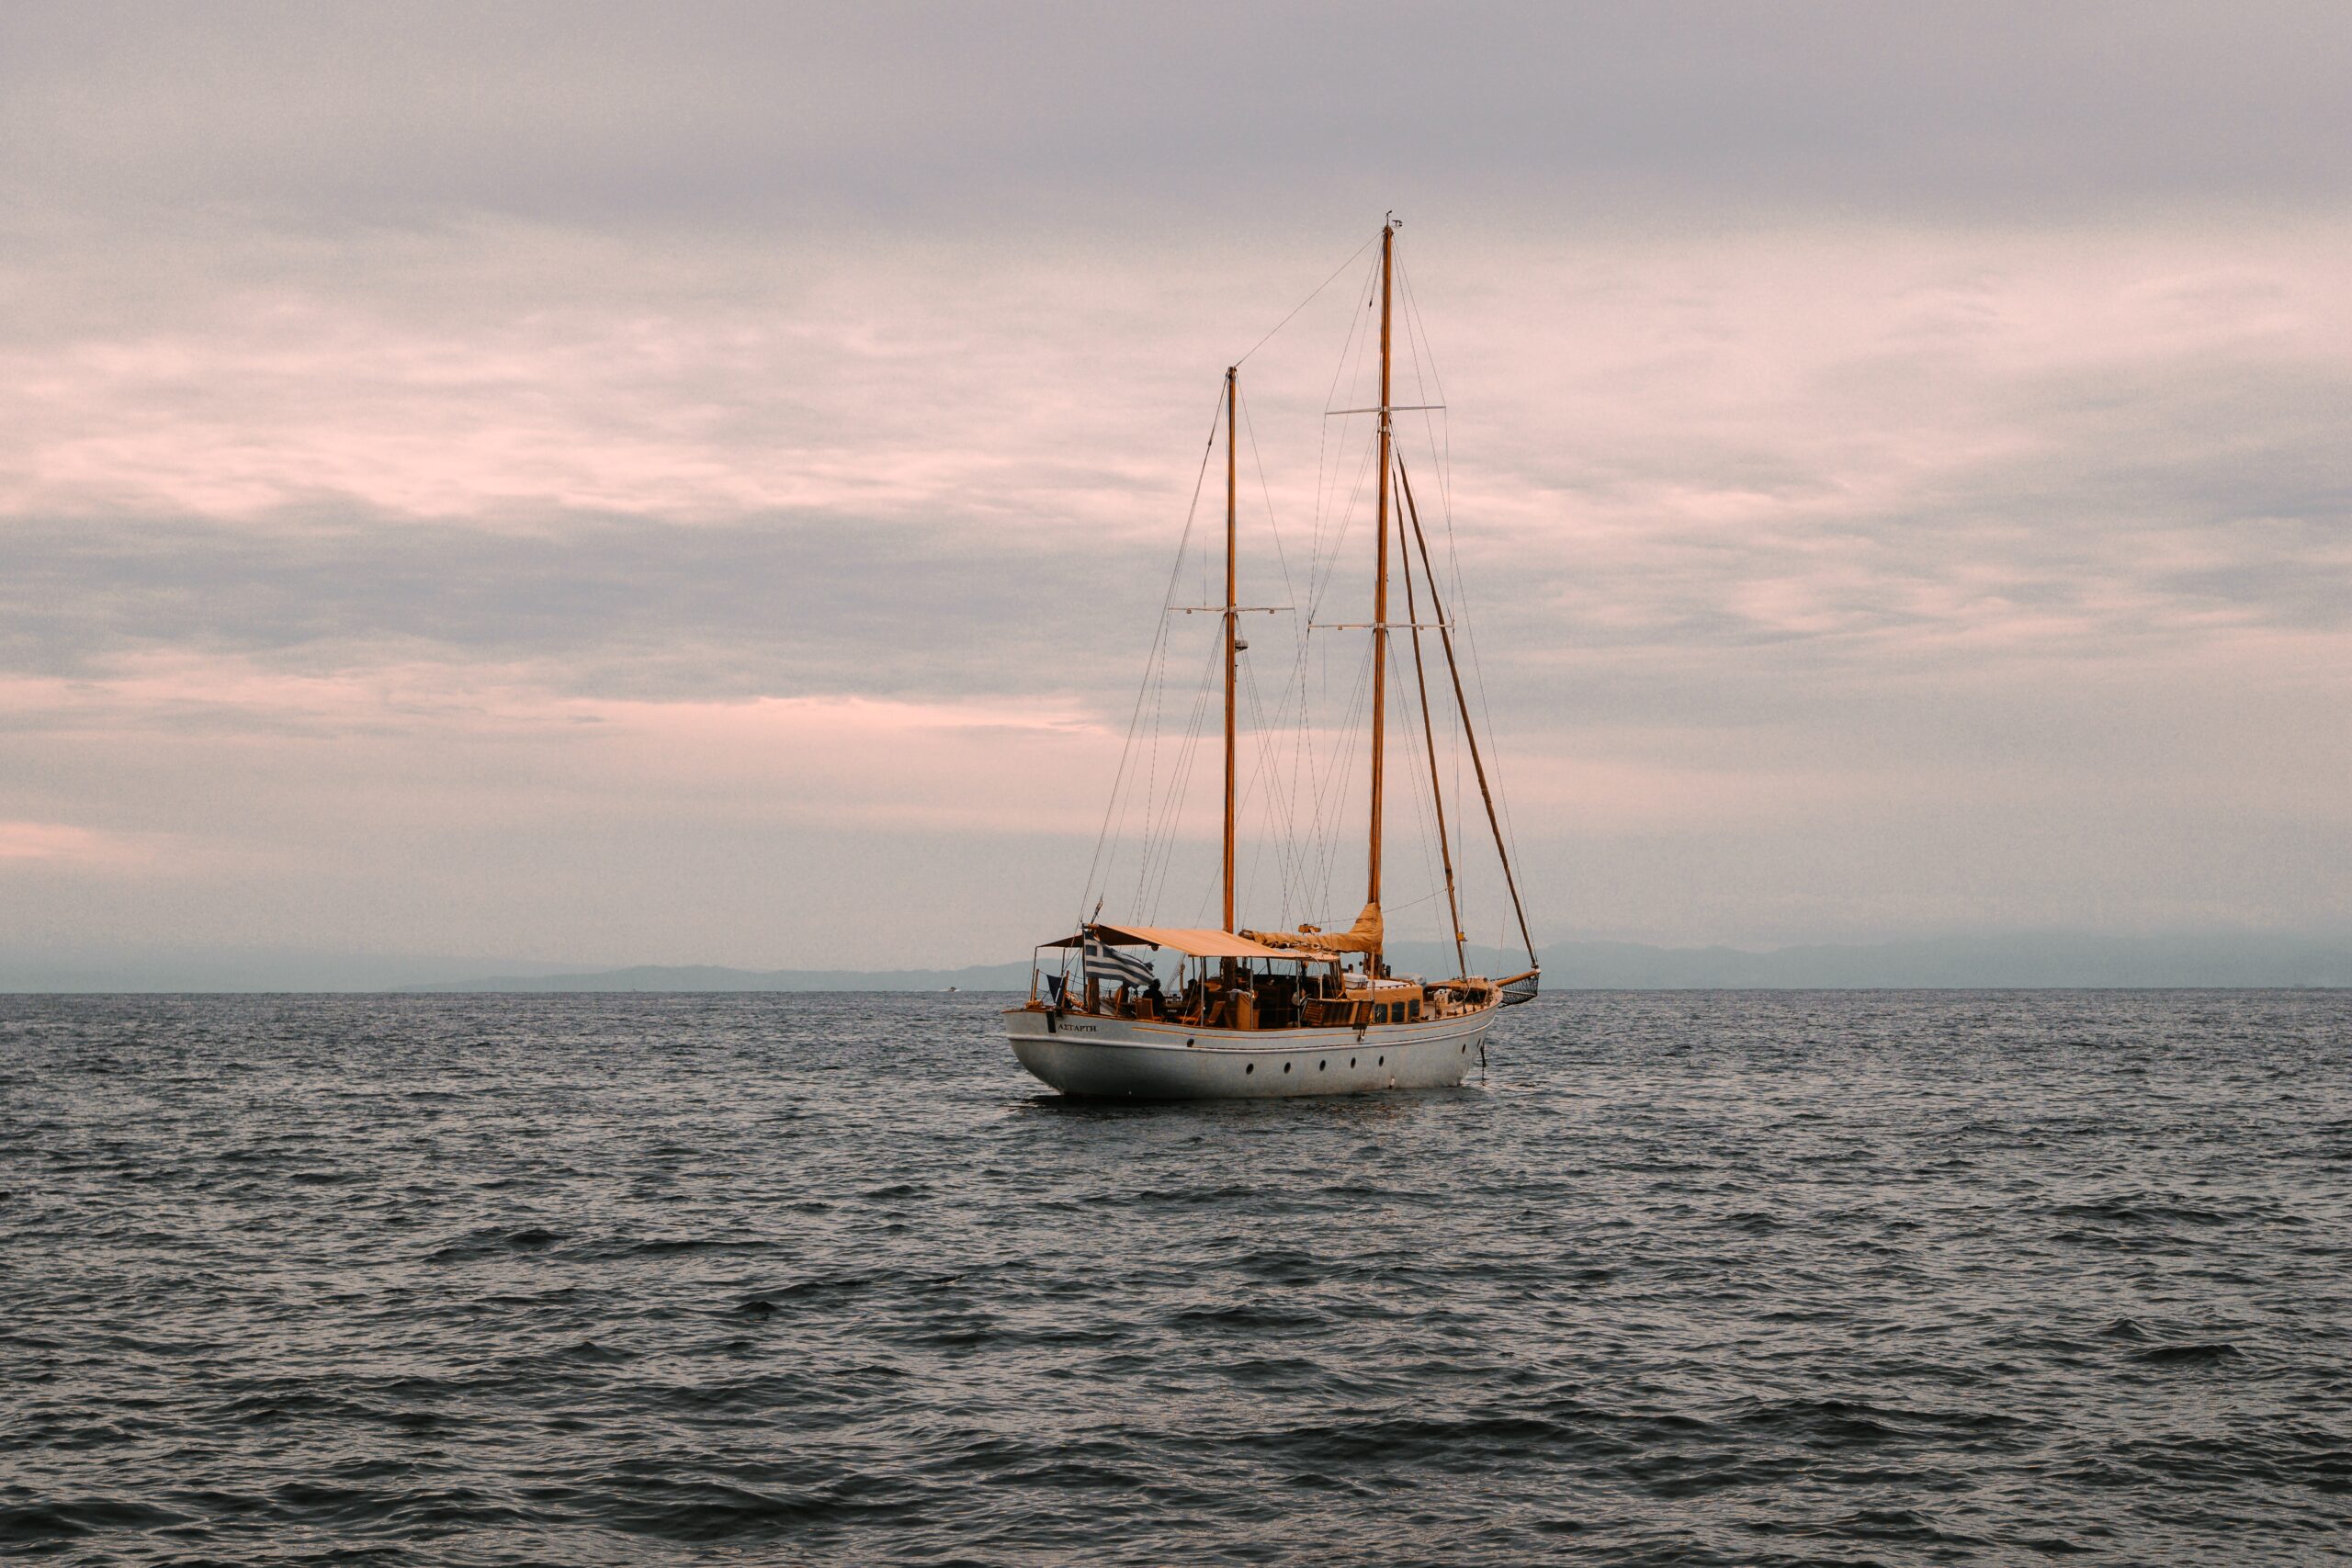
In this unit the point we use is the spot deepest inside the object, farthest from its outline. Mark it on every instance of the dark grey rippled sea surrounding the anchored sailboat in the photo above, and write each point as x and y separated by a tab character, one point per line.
1890	1278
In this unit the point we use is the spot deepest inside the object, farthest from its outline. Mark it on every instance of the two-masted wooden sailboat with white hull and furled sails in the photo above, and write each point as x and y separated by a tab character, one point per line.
1307	1012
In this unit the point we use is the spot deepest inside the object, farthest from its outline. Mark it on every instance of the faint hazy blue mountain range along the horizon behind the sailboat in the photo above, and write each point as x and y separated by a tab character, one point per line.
1991	963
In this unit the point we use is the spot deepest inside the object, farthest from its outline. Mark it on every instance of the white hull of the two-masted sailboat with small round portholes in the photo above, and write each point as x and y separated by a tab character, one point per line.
1168	1061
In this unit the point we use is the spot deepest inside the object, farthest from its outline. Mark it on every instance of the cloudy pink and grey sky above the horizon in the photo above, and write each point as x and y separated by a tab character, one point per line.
697	485
